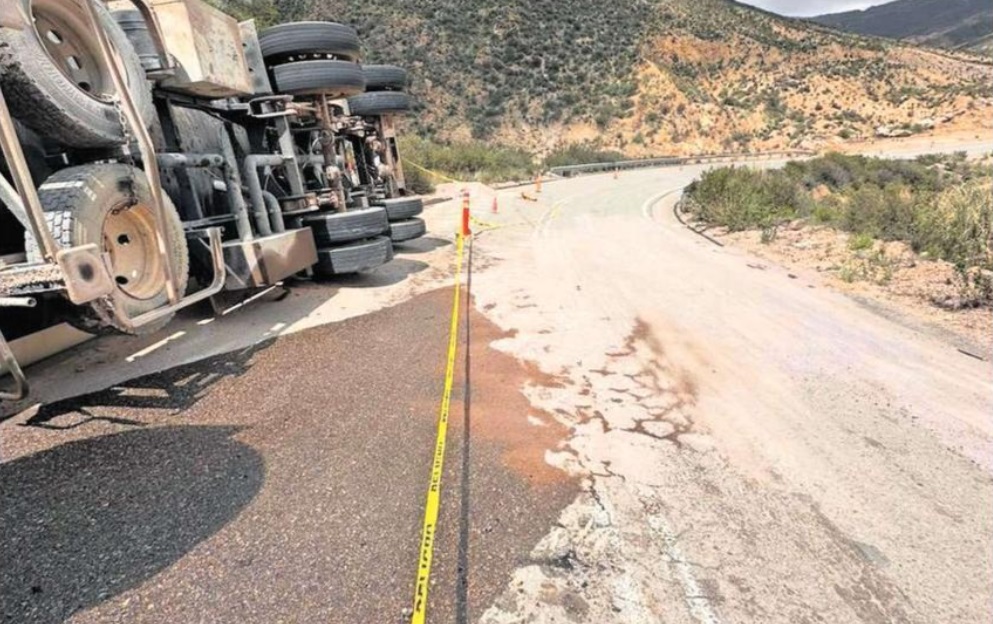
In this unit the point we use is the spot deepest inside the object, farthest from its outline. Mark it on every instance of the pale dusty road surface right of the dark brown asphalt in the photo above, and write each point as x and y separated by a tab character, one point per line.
755	448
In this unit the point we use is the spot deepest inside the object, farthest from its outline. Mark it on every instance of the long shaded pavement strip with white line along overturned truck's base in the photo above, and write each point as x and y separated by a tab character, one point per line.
248	319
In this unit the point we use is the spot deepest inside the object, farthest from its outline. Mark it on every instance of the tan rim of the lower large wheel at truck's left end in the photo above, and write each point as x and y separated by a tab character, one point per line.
129	238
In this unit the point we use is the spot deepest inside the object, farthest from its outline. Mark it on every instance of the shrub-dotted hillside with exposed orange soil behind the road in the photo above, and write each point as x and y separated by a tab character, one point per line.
654	76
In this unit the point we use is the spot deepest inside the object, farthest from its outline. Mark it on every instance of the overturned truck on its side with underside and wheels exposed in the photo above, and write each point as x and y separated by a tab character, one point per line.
158	152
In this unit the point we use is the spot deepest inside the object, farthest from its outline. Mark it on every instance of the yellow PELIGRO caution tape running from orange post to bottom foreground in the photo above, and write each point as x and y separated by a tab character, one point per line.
434	487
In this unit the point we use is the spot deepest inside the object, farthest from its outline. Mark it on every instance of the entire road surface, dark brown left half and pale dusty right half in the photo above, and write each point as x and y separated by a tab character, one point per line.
660	433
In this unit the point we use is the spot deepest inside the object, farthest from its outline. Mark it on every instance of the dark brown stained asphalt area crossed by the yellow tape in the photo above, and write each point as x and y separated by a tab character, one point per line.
279	483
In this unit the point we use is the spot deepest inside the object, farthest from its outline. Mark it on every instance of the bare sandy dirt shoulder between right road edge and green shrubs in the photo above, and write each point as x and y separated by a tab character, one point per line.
887	276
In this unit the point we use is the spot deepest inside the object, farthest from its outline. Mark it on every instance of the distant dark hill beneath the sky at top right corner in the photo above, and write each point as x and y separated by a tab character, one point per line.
953	24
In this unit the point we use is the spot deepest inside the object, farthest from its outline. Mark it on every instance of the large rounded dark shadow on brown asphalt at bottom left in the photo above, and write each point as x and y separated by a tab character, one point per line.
88	520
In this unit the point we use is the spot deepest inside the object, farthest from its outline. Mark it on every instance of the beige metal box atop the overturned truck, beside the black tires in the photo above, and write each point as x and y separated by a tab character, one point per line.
206	44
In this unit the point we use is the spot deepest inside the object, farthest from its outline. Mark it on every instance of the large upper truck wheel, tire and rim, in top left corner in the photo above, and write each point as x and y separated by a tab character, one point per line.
56	82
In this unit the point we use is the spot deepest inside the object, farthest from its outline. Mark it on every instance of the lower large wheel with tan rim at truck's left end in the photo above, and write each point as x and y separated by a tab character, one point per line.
88	204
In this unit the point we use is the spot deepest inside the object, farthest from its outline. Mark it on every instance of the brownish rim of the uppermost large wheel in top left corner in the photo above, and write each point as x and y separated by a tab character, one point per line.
64	31
